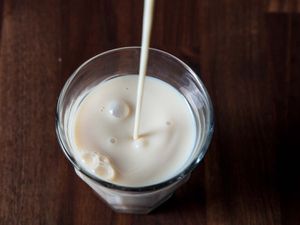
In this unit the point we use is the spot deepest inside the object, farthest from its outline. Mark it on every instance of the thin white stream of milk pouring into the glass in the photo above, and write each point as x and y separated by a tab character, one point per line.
147	24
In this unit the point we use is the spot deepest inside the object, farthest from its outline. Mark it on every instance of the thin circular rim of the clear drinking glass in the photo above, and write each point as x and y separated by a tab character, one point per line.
180	175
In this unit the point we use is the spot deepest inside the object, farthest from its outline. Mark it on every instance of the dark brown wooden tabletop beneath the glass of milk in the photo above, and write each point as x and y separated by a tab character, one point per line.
248	54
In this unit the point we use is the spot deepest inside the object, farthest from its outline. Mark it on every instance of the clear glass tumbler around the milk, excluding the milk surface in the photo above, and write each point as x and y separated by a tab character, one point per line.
124	61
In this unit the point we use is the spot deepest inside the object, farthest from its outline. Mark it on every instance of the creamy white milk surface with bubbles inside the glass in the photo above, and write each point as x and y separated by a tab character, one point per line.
102	132
